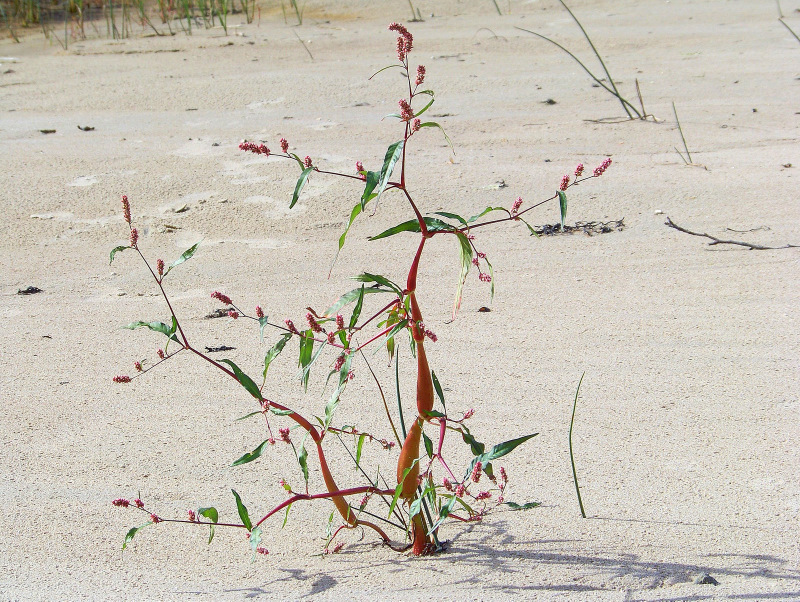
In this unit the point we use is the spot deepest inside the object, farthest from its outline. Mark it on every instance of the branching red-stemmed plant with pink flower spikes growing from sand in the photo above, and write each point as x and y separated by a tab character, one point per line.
427	491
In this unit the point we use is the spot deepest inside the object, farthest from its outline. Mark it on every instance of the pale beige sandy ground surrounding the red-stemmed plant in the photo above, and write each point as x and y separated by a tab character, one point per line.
687	430
